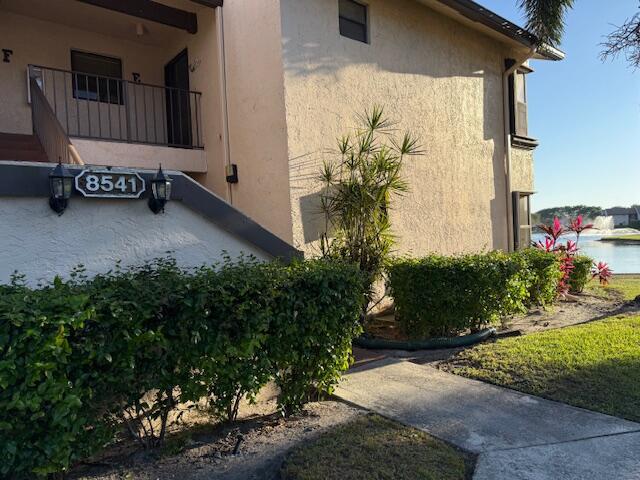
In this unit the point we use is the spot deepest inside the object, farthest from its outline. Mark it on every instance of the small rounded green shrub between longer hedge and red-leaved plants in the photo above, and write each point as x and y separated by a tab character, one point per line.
544	275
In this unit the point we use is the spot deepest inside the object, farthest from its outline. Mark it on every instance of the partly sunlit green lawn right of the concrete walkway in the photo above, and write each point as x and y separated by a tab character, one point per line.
594	366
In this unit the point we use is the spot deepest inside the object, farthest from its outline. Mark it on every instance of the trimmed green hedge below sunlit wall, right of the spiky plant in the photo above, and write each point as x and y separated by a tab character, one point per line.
444	296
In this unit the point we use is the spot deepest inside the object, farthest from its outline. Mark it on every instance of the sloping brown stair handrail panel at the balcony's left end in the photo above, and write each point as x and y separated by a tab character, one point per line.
48	129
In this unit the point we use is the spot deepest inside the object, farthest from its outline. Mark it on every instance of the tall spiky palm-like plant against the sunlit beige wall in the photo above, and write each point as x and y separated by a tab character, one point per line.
358	187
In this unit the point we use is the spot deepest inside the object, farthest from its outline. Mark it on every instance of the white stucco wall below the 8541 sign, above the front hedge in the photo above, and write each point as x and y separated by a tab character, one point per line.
98	232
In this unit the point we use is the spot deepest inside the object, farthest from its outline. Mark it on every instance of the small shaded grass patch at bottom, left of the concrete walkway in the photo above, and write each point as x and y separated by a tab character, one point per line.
375	448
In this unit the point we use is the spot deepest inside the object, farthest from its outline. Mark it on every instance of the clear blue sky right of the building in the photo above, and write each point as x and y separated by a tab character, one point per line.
585	113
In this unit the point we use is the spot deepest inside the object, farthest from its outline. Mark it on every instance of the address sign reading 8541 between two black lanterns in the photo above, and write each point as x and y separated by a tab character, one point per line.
110	184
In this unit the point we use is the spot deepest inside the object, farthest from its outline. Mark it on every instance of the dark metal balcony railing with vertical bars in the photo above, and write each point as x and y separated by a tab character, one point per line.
106	108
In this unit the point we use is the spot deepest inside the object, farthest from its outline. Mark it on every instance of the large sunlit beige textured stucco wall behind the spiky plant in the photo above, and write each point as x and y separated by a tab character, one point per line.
437	77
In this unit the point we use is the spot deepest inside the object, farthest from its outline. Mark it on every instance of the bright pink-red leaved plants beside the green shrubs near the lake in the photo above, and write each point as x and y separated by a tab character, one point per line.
567	251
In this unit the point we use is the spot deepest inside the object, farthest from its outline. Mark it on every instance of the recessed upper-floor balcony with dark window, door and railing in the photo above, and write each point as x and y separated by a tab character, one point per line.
143	114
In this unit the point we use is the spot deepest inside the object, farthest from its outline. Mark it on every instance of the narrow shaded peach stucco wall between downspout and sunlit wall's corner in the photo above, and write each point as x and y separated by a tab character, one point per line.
257	123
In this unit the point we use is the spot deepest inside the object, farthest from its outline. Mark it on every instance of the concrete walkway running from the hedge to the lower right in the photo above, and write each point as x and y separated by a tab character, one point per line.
517	436
